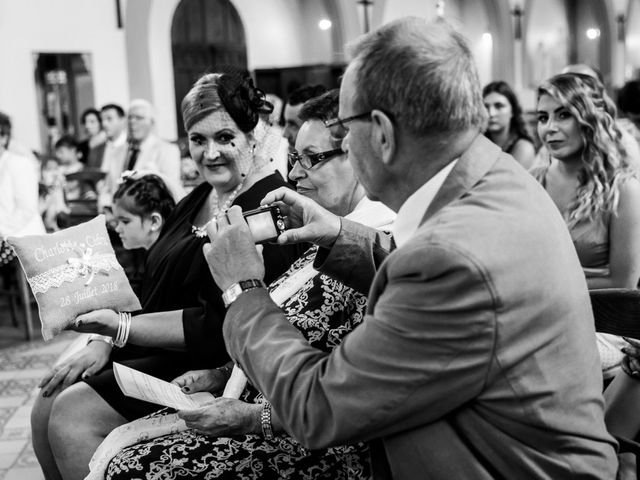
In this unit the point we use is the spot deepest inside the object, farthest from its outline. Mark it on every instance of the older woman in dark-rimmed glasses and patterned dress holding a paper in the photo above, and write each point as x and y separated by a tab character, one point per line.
240	438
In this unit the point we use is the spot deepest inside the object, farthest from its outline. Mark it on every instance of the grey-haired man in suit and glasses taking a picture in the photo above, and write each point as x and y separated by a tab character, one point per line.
477	358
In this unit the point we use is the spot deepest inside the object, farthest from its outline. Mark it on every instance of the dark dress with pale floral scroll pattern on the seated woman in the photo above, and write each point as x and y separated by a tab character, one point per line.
324	310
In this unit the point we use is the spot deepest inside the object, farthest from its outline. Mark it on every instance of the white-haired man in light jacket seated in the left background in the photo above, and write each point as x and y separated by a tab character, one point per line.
147	151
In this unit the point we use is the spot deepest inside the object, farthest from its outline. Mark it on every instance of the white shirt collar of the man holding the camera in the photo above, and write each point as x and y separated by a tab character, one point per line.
413	209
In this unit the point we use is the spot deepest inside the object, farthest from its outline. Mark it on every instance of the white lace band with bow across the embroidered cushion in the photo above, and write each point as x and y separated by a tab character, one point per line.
87	265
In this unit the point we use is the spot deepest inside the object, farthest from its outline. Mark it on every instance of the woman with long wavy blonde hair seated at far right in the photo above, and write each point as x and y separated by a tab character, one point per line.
591	182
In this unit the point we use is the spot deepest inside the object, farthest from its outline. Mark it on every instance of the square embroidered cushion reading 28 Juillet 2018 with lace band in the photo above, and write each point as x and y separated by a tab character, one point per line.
73	271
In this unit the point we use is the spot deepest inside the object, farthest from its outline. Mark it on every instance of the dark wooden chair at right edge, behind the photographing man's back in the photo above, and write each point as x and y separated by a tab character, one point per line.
617	311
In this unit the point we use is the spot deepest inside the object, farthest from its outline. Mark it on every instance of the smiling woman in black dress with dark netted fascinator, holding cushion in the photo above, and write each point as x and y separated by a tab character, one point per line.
180	325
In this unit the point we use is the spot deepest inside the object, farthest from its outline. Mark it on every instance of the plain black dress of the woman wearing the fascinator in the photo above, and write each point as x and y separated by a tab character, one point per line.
177	277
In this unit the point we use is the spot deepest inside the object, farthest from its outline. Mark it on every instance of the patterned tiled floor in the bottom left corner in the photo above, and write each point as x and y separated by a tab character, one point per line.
22	364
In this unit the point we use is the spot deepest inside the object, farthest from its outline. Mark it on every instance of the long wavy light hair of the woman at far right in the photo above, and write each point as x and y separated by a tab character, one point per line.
604	159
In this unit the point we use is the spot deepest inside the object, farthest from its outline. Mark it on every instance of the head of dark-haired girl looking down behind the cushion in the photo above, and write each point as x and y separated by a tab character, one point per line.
141	205
